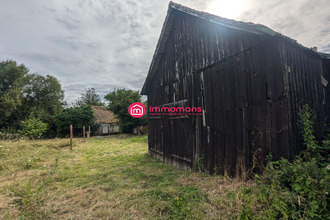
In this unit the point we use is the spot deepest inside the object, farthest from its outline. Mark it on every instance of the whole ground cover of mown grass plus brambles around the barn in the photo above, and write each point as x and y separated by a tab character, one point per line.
114	178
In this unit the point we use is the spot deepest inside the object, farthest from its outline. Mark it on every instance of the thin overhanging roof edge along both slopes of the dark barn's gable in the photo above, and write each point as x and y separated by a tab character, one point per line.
257	29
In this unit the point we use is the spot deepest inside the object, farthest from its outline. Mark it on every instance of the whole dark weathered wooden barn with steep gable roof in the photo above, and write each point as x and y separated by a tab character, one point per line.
250	82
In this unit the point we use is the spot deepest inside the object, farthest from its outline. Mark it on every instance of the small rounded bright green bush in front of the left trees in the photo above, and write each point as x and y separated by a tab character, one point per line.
33	128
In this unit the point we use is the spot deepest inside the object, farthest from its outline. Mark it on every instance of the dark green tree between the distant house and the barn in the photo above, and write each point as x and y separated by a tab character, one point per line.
119	101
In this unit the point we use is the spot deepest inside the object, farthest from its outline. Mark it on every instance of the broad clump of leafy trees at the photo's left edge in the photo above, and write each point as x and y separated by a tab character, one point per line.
24	96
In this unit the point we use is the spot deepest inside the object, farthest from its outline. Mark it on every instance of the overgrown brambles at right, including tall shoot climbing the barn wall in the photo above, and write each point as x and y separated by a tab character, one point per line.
292	190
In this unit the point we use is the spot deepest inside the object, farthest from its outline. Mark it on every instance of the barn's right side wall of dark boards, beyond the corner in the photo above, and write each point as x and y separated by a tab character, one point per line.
303	71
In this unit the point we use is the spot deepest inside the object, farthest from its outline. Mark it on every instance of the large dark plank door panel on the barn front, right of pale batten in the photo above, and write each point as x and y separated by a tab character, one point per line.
246	110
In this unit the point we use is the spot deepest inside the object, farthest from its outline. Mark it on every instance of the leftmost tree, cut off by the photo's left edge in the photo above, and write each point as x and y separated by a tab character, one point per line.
11	84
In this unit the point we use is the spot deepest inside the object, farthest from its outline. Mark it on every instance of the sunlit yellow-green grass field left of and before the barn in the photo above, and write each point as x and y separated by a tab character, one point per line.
106	178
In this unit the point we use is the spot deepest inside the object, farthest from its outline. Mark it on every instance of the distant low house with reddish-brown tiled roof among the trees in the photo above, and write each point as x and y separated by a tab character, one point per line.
106	119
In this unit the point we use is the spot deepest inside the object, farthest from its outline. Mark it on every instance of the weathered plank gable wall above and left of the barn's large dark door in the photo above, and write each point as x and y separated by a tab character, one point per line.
194	44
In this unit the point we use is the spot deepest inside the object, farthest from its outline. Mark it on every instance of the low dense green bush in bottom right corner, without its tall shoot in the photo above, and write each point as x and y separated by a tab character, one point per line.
288	190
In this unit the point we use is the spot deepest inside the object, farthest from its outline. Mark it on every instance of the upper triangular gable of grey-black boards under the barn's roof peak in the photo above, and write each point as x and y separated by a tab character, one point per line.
195	44
